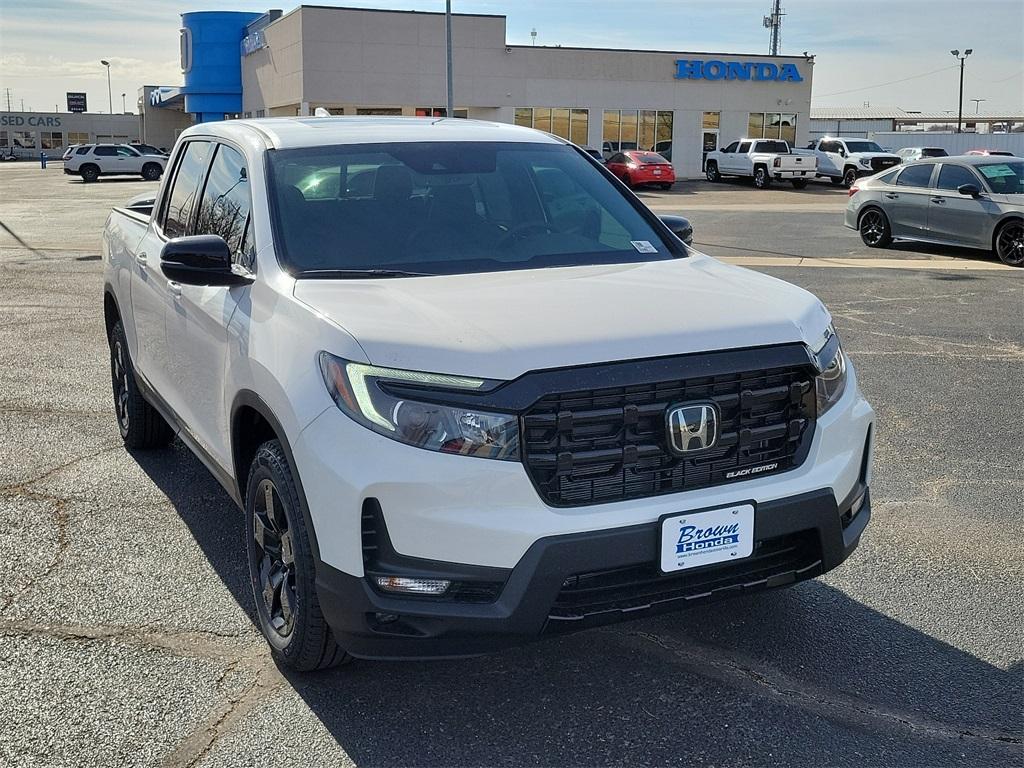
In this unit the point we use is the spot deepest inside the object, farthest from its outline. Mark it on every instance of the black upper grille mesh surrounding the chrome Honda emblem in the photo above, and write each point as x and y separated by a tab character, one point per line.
610	445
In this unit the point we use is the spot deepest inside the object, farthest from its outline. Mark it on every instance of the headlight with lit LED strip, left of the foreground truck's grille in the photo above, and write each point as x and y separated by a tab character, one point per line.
361	392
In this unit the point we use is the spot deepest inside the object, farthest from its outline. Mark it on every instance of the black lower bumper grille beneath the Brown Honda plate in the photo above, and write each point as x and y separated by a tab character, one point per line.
610	593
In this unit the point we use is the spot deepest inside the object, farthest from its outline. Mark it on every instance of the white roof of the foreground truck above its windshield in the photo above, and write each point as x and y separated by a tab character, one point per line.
284	134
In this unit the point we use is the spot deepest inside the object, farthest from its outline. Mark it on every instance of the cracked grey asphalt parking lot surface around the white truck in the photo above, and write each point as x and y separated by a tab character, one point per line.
126	617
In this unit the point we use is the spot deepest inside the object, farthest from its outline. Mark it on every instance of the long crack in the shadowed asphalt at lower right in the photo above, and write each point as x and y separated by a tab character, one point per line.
774	684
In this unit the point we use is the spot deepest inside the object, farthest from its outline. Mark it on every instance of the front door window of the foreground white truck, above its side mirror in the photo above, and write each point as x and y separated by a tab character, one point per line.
225	207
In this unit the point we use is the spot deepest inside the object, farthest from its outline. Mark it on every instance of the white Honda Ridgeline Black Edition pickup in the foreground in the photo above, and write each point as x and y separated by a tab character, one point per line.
470	391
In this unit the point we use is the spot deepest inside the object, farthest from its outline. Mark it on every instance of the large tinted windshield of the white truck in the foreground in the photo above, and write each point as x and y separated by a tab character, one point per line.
450	208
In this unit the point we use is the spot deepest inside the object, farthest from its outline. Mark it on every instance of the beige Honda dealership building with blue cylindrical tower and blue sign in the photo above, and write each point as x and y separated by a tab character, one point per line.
365	62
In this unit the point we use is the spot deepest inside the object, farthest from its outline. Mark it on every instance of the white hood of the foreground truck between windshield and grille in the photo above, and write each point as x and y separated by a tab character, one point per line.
502	325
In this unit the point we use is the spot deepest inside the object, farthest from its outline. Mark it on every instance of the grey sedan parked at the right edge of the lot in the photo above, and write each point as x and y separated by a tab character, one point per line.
974	202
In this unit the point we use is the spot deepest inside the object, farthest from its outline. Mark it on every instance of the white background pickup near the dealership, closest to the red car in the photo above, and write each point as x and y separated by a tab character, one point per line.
763	160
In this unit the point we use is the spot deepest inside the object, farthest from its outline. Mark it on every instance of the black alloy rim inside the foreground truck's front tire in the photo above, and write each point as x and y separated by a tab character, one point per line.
276	560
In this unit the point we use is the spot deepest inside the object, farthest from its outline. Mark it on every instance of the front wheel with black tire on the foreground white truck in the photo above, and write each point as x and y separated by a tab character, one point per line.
282	569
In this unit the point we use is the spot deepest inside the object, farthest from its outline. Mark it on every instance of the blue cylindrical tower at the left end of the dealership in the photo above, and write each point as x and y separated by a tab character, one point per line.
211	61
